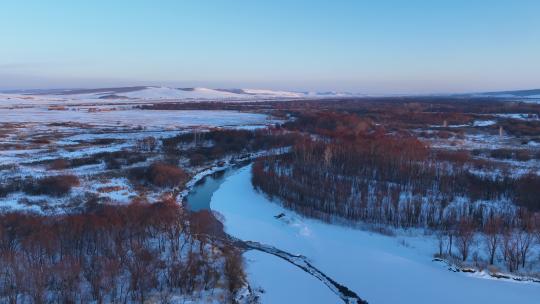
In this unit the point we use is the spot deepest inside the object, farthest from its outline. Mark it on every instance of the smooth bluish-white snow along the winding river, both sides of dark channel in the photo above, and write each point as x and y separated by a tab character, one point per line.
380	269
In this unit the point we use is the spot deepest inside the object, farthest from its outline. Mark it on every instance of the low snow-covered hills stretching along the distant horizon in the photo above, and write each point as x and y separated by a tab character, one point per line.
153	93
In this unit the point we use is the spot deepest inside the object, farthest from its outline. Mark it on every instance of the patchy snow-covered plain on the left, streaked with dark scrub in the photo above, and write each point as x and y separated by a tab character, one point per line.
32	137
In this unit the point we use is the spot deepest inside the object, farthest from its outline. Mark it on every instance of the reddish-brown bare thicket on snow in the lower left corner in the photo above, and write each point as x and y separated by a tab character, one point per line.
109	254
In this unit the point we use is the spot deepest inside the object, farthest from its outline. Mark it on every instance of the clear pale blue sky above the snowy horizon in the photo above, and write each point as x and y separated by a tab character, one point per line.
374	47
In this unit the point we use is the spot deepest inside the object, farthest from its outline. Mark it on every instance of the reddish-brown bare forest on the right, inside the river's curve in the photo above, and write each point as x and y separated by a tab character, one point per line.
348	167
